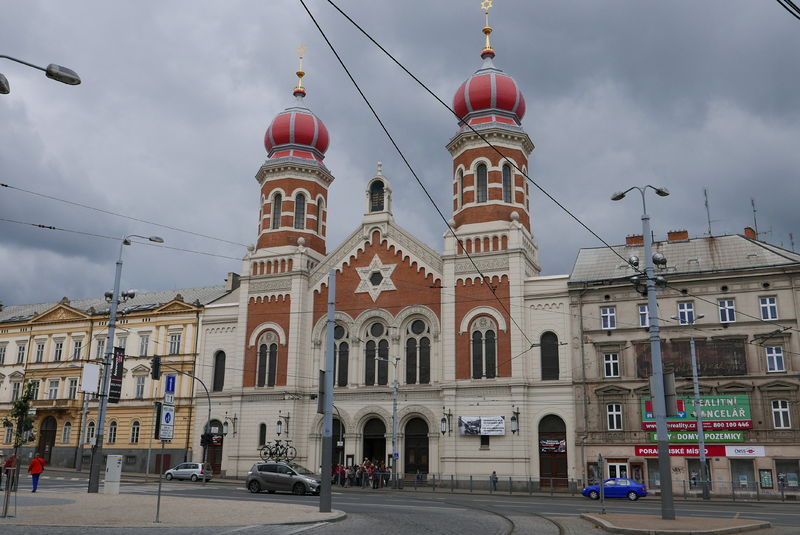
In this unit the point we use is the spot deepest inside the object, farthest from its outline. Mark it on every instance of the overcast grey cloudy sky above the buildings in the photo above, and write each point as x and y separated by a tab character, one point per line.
168	124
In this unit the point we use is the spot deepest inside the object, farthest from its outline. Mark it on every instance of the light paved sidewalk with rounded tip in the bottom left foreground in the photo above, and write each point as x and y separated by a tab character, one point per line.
52	508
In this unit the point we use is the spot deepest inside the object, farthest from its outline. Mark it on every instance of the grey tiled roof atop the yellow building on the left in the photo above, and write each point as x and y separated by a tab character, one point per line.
144	301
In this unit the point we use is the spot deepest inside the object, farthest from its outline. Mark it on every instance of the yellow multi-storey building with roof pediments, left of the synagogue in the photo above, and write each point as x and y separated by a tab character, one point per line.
49	344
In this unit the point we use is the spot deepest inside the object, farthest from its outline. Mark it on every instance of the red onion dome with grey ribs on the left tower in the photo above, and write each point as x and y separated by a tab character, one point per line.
297	132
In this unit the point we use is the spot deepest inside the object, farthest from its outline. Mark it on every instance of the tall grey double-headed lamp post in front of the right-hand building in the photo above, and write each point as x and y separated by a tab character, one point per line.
667	503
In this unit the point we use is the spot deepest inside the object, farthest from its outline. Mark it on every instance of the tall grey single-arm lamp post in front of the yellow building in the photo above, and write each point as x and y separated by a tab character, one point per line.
97	449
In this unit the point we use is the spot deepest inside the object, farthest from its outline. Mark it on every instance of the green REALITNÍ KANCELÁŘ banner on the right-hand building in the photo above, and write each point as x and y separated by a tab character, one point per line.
719	413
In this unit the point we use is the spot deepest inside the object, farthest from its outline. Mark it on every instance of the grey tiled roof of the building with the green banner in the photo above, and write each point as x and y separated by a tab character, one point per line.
698	255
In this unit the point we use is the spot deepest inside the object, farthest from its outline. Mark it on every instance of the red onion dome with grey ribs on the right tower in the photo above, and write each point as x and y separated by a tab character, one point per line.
489	95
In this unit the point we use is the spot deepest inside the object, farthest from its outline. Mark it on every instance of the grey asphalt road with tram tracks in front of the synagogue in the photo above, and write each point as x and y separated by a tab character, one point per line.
410	512
